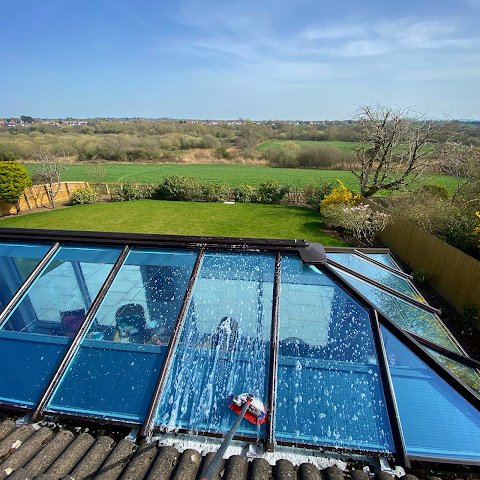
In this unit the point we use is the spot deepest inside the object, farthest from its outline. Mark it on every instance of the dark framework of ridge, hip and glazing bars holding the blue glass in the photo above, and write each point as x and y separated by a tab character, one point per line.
310	252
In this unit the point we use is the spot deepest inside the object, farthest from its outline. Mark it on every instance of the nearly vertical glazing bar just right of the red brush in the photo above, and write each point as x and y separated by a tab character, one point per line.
273	364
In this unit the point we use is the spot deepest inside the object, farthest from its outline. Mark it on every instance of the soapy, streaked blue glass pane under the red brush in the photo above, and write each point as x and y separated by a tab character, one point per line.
224	345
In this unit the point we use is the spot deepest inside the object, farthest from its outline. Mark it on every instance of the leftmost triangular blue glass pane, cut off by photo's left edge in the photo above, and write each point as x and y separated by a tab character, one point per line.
17	261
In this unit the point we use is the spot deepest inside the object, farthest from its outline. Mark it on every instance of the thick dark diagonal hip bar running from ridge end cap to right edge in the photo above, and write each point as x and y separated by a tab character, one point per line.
407	340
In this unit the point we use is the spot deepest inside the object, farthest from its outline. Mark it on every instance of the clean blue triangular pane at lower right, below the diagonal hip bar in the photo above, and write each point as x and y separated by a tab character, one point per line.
436	420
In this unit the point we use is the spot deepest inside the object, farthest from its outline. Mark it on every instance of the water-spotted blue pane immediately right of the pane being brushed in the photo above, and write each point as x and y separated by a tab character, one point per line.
329	388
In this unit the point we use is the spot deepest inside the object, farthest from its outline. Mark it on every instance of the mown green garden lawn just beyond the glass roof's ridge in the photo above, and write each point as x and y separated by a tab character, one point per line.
183	218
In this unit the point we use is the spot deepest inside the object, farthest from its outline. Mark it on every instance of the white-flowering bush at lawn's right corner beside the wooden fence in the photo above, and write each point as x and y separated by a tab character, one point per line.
360	220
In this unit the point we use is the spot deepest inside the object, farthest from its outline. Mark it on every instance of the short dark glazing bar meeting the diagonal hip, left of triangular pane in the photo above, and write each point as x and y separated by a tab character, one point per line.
392	408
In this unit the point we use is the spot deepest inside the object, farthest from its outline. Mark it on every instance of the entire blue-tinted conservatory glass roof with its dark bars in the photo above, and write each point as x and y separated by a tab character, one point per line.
156	331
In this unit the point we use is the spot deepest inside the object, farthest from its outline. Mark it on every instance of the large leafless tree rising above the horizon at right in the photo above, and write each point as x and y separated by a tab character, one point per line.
395	147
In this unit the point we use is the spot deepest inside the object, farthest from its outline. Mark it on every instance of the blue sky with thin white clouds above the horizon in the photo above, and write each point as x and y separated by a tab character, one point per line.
225	59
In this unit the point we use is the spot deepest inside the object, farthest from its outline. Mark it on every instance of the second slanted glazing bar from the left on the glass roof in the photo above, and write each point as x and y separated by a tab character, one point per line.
37	412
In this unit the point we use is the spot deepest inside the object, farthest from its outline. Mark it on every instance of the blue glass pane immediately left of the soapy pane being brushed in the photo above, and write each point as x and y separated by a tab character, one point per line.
115	370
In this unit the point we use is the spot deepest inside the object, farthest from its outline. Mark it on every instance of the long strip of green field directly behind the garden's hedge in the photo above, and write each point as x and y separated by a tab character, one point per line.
232	175
